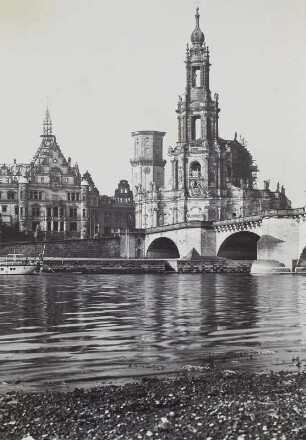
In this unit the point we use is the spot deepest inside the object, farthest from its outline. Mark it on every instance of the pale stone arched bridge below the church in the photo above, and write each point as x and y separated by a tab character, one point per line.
278	235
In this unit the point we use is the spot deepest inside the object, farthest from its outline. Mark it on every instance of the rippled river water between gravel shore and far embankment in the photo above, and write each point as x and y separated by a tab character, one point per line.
78	330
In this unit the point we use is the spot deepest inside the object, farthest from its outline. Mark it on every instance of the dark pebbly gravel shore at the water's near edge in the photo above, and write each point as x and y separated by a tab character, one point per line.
206	404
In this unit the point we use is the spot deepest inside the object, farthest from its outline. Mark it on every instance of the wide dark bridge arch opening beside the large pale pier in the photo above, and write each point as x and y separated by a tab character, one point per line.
240	245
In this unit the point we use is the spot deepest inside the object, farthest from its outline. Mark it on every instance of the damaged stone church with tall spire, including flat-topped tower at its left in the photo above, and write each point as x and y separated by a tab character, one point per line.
211	178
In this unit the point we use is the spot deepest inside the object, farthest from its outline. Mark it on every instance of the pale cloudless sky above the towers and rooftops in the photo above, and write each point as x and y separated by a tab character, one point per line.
113	67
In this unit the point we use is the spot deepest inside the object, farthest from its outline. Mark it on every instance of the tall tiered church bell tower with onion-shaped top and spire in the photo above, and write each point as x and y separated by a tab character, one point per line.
196	158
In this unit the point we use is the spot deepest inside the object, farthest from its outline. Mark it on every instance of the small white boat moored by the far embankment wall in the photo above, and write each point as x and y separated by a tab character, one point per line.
18	264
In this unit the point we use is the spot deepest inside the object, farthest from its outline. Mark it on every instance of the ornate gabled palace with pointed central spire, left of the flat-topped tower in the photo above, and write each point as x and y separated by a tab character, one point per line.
49	199
